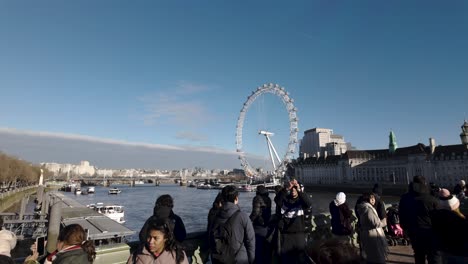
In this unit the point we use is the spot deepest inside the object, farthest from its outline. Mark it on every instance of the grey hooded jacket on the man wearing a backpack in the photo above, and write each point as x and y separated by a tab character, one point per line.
243	233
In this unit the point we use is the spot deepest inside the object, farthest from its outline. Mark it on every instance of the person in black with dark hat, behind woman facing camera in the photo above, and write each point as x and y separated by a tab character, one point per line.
163	209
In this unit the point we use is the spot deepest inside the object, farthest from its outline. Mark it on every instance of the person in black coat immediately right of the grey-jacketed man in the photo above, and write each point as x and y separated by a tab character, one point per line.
260	217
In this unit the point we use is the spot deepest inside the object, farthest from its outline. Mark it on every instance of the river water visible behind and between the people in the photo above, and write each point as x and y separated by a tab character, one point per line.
191	204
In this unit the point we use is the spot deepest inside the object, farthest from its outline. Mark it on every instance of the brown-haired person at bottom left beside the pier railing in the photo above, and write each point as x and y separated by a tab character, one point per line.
72	247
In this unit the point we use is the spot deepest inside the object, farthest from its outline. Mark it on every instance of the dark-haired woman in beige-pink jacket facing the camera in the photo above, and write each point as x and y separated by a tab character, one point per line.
160	247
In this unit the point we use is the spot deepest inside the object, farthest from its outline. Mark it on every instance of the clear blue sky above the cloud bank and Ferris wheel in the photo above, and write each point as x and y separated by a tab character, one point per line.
178	72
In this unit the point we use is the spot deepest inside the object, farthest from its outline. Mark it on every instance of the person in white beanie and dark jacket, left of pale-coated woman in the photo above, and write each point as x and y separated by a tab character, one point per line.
341	218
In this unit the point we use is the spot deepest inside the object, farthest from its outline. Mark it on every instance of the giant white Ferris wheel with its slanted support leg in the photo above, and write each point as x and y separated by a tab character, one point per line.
279	162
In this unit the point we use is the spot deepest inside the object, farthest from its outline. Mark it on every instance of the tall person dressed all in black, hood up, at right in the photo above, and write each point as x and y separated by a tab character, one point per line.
415	208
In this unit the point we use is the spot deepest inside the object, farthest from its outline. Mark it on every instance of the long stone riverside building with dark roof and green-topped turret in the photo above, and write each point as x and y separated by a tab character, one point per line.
443	165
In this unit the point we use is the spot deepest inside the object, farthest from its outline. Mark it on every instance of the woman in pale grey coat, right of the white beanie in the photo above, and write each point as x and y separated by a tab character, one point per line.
372	237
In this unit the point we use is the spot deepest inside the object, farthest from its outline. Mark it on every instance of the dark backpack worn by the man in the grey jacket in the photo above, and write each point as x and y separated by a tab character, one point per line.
221	236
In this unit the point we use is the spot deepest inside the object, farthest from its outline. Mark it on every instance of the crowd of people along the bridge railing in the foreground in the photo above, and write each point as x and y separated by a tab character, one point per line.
429	216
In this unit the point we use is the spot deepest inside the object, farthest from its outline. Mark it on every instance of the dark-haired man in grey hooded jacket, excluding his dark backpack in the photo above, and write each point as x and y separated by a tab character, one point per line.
242	239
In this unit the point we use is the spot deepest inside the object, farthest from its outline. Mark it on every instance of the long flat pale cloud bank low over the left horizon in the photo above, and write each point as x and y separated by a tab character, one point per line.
110	153
